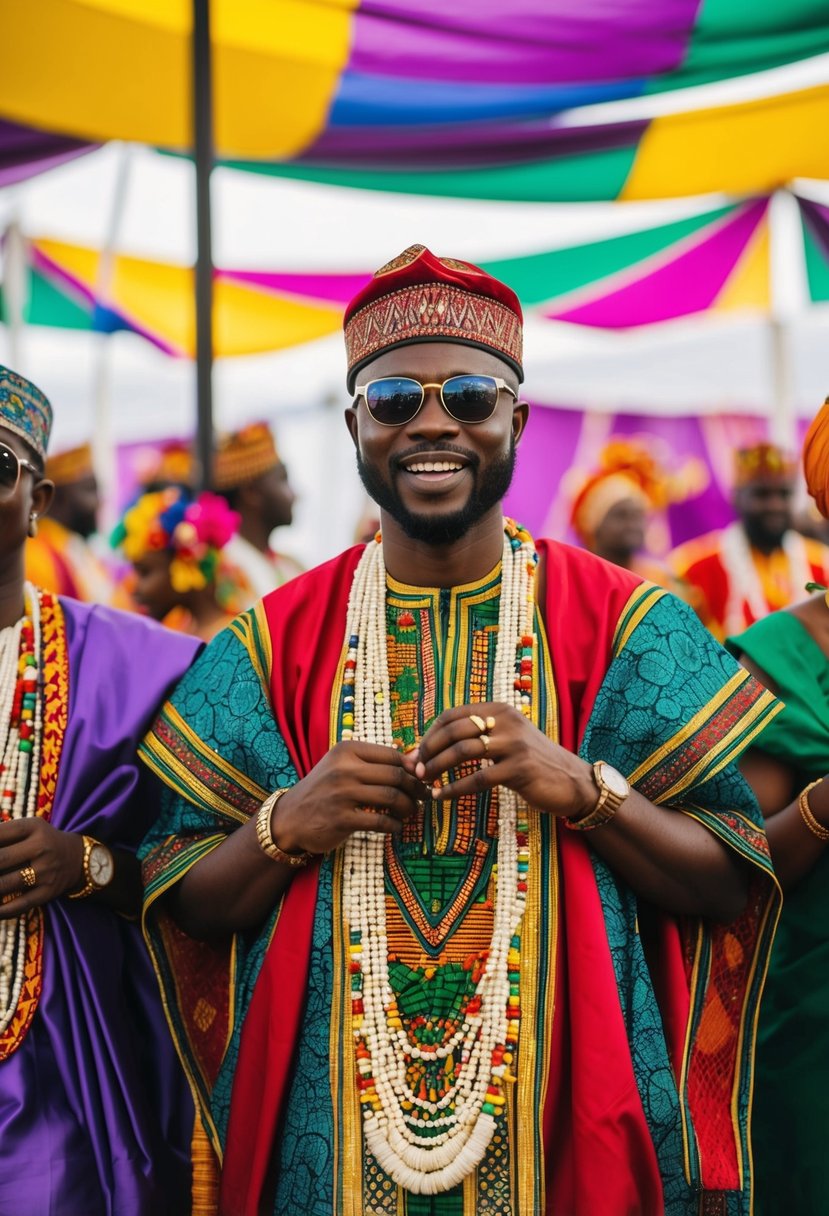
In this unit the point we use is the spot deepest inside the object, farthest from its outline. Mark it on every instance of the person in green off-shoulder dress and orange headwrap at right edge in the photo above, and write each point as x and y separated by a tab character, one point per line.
787	768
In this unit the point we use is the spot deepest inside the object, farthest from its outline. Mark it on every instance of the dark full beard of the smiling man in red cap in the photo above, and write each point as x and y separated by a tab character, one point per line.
445	530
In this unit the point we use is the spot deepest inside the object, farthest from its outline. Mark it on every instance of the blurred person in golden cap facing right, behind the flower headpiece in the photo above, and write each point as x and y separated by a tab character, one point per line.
252	478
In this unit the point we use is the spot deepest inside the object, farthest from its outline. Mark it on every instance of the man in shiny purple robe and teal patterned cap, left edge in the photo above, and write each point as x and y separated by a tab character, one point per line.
94	1108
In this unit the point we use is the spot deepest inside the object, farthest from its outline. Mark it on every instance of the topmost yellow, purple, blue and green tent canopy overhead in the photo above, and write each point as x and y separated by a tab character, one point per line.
481	100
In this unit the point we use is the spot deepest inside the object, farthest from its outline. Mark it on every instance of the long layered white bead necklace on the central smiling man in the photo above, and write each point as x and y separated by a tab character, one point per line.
430	1142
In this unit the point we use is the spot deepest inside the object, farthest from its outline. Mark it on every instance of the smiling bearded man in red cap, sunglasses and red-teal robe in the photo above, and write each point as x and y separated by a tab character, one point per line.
458	897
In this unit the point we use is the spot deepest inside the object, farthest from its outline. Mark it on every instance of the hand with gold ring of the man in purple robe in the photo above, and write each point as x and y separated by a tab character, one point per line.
53	862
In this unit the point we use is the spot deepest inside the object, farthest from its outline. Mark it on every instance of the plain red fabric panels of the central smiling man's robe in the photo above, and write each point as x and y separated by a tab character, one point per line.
599	1151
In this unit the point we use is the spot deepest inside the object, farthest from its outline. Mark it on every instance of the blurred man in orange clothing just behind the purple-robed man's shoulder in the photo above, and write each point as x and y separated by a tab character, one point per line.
59	555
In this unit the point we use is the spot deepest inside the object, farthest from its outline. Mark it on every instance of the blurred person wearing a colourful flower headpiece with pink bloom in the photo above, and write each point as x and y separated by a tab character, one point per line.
174	544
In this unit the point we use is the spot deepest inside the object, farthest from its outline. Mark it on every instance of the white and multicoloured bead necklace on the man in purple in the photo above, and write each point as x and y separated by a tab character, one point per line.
21	736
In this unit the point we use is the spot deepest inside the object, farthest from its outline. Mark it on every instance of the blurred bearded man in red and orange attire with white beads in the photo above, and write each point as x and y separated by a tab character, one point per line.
759	564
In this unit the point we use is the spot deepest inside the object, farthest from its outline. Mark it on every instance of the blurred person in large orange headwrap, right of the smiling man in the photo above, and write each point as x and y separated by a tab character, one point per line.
614	508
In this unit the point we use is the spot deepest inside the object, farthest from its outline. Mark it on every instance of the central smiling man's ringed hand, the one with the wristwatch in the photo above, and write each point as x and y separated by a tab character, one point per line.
511	751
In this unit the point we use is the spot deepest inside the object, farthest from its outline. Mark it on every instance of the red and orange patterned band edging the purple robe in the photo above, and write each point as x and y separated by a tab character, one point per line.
55	708
